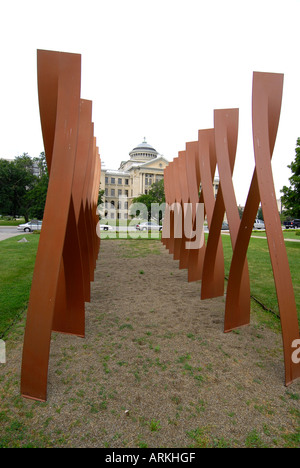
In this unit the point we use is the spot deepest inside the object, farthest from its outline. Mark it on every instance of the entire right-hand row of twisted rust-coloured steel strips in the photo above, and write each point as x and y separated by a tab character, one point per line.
217	148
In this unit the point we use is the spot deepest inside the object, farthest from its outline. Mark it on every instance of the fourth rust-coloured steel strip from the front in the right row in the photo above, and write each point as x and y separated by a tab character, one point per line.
196	256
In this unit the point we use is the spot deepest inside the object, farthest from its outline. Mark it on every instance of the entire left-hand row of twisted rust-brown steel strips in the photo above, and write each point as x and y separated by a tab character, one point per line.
68	245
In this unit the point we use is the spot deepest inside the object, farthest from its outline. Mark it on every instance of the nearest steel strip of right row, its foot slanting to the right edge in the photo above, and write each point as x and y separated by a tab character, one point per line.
266	104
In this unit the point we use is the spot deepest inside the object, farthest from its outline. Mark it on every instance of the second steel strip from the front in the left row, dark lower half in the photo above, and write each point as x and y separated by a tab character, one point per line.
69	316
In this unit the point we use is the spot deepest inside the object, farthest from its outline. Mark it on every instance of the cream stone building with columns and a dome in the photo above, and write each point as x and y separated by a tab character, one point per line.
133	178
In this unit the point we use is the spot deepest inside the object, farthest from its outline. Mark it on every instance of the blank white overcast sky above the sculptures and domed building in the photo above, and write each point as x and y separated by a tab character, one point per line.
154	69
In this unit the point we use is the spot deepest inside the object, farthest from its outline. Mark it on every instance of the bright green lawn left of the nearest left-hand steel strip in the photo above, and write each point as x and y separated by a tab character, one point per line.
16	269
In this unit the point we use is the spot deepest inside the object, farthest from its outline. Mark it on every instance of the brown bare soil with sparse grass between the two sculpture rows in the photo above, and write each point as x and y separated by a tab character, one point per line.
155	369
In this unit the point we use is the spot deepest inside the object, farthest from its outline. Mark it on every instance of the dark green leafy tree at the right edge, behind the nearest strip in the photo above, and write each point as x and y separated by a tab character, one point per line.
291	195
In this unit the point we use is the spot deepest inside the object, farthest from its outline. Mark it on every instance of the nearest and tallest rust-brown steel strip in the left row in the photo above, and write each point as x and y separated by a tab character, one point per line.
62	72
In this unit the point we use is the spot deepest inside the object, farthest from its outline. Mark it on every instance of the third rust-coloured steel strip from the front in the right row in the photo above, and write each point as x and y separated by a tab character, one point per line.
213	267
